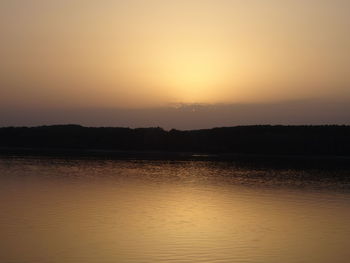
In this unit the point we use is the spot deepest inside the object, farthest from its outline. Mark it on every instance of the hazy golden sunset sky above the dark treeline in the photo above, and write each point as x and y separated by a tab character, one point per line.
150	62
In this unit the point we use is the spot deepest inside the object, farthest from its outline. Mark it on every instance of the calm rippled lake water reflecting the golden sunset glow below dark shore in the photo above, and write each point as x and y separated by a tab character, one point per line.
157	211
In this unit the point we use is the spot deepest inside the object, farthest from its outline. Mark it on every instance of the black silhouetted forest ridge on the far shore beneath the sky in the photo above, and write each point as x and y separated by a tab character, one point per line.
281	140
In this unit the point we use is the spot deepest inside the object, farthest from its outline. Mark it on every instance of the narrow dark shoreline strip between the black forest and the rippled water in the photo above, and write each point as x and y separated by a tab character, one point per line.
274	160
